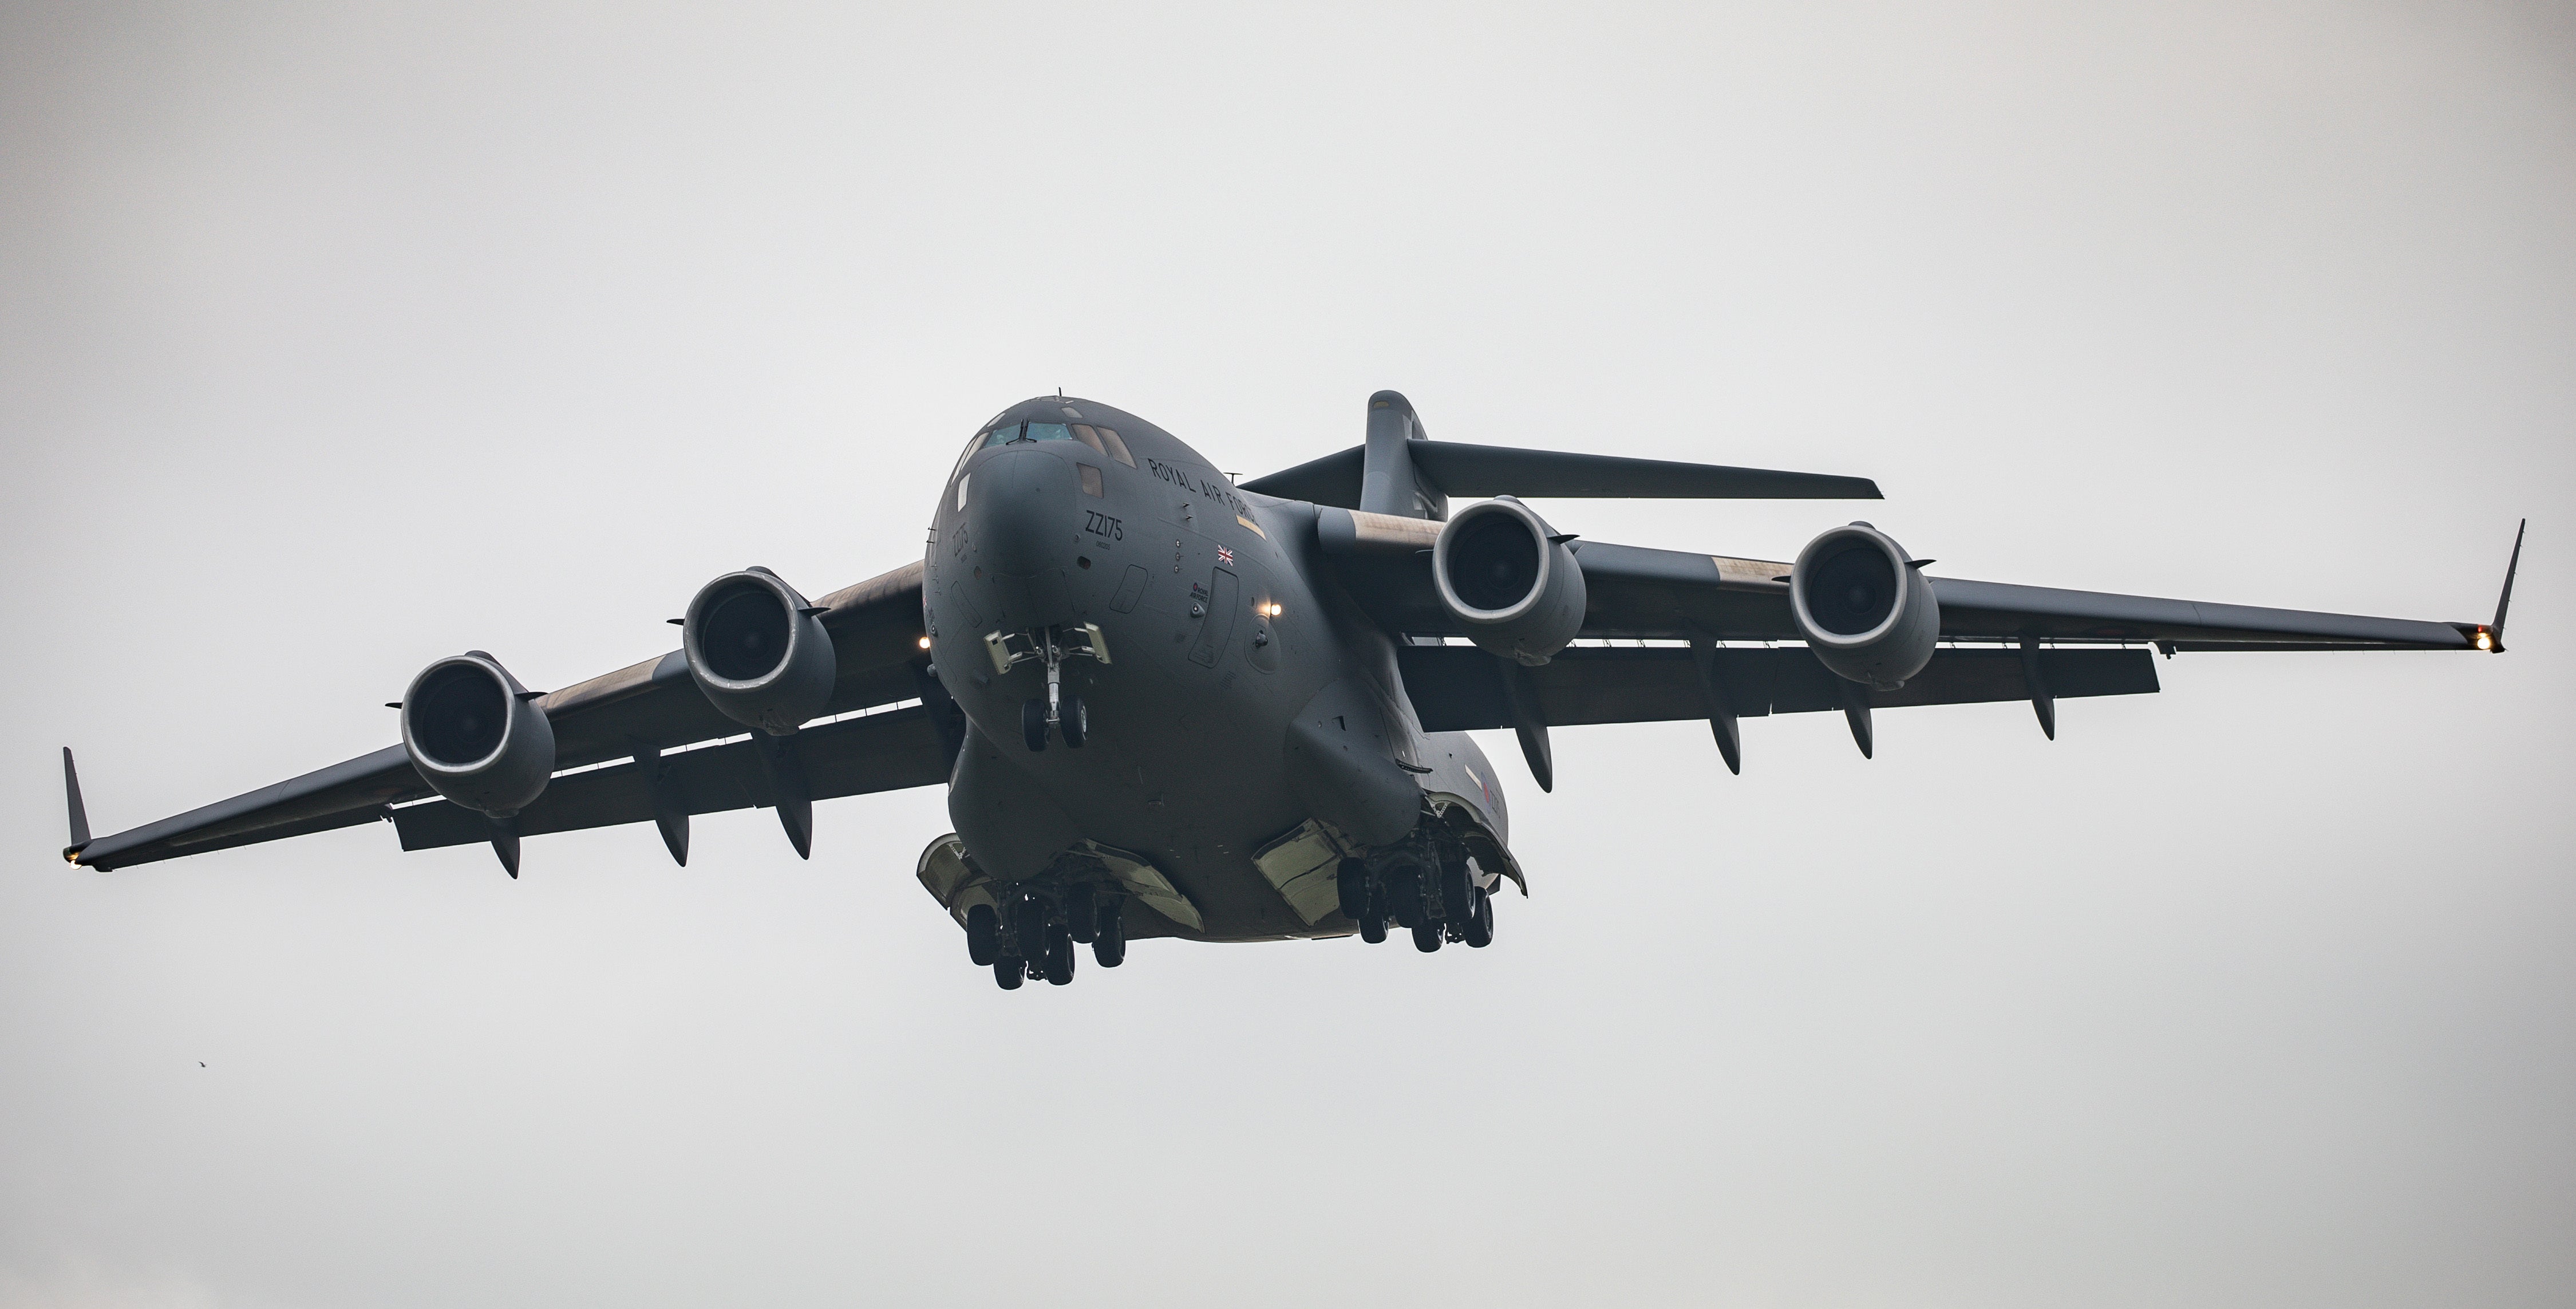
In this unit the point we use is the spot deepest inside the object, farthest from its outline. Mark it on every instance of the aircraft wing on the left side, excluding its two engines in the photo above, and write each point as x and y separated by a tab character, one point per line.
632	746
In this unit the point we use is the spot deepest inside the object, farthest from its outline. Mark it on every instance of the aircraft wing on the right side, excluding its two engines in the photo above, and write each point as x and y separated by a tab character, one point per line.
1725	640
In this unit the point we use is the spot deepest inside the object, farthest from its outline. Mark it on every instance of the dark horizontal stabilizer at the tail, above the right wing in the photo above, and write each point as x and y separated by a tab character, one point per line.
1506	470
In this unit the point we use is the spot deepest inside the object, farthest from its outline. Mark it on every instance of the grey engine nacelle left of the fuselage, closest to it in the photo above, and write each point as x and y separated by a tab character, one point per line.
759	651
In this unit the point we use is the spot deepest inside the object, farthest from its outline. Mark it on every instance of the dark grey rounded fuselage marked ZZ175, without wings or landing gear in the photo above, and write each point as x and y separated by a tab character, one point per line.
1222	625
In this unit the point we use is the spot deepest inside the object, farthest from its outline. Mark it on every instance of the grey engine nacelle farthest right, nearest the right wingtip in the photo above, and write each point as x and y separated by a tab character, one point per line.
1864	607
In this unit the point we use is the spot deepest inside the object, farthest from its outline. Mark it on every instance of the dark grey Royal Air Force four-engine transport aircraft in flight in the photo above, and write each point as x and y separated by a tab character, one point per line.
1171	705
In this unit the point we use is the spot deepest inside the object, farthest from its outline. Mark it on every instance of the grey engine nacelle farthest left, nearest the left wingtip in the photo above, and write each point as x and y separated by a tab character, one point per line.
475	738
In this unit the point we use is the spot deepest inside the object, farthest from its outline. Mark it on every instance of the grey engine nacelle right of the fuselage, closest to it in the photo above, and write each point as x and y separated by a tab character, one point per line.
1511	581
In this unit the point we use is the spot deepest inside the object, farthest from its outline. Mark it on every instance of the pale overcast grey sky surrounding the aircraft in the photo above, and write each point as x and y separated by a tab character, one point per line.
334	341
